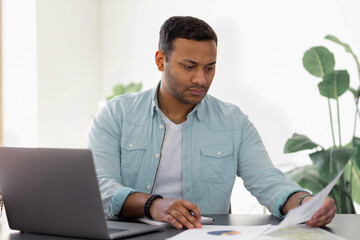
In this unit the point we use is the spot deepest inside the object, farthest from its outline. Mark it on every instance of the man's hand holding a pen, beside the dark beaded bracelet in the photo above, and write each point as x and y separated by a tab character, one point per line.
177	212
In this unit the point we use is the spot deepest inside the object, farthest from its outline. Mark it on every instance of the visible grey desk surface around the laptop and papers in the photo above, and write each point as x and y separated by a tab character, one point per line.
344	225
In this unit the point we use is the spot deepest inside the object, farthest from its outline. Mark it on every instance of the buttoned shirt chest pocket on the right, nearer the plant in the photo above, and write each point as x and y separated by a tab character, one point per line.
218	164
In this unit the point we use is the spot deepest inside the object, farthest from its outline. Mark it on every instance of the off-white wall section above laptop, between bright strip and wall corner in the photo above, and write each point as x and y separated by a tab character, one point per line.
68	65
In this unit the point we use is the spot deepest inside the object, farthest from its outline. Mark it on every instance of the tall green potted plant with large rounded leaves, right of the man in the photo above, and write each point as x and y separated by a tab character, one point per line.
327	163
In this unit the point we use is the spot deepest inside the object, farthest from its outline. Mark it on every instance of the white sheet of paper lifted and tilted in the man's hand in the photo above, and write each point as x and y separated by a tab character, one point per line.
304	212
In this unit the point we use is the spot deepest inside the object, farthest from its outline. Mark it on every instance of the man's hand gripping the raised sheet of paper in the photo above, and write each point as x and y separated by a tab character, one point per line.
324	215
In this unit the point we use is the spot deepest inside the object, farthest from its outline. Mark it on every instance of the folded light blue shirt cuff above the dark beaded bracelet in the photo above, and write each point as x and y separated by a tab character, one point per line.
117	201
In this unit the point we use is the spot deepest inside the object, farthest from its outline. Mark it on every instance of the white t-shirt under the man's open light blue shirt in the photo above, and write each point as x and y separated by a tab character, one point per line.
168	181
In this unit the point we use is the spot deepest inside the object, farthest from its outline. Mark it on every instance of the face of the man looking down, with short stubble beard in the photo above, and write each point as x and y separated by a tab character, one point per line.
189	70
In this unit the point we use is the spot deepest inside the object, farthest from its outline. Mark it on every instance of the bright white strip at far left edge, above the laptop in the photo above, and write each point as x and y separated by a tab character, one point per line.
19	72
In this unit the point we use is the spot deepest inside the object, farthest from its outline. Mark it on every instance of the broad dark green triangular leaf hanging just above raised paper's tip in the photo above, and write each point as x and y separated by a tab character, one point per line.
330	162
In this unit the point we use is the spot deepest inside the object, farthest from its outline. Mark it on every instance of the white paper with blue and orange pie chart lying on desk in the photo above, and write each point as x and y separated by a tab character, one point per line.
219	232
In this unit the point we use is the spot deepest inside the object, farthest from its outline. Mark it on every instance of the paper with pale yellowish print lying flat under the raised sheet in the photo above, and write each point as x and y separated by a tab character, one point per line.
300	232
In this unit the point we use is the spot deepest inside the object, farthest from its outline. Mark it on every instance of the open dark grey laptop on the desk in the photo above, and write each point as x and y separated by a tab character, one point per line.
55	191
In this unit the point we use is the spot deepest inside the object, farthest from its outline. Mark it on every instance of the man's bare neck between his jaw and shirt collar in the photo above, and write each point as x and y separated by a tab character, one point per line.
173	109
